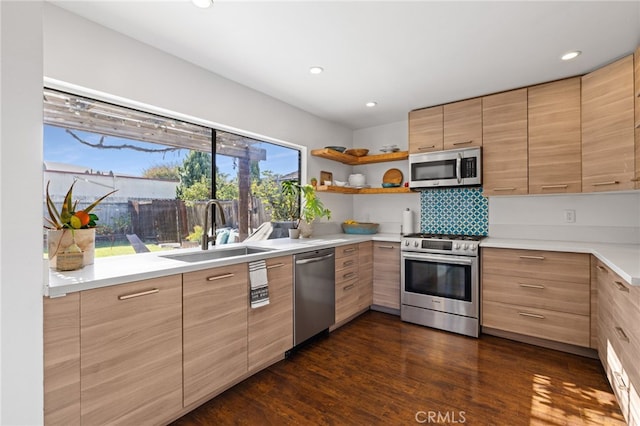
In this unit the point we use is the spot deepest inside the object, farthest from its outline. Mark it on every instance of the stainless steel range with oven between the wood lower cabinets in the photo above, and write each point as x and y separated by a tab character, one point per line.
440	282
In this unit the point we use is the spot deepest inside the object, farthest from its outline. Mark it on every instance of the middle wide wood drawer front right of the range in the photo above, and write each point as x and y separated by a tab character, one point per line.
561	296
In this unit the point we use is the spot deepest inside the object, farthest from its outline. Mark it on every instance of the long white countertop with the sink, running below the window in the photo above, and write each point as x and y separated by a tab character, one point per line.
115	270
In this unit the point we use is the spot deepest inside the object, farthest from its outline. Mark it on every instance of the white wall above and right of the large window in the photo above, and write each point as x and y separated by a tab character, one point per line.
90	56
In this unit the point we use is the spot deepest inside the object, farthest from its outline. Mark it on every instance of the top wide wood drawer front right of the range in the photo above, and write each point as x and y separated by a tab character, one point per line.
545	265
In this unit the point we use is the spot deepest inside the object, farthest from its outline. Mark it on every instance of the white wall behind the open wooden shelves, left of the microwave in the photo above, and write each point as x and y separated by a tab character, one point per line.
385	209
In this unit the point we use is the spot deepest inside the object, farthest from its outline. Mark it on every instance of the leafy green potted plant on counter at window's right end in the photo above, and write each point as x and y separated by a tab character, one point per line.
312	207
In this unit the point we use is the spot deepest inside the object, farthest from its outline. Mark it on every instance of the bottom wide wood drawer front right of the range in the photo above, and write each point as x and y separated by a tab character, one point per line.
542	323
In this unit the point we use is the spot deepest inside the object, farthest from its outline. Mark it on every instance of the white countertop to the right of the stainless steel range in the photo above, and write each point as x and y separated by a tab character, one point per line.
624	259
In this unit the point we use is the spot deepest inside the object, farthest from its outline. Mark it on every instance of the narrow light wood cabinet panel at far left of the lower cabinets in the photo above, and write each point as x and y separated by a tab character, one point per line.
61	330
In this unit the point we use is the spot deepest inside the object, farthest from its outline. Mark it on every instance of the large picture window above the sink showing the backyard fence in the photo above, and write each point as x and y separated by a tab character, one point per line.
165	170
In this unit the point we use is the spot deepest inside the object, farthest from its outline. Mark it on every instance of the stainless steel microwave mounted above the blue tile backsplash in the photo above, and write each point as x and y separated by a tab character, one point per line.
455	167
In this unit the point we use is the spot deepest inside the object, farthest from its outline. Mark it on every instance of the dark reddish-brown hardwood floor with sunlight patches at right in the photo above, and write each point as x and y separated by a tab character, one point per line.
378	370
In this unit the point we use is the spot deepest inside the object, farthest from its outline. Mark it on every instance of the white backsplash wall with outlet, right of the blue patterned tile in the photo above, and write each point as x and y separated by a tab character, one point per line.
610	217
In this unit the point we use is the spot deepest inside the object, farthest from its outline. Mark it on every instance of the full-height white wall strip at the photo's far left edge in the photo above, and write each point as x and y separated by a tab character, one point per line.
21	213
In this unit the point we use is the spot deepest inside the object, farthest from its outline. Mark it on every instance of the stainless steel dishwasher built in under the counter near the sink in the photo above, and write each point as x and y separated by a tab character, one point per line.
314	291
